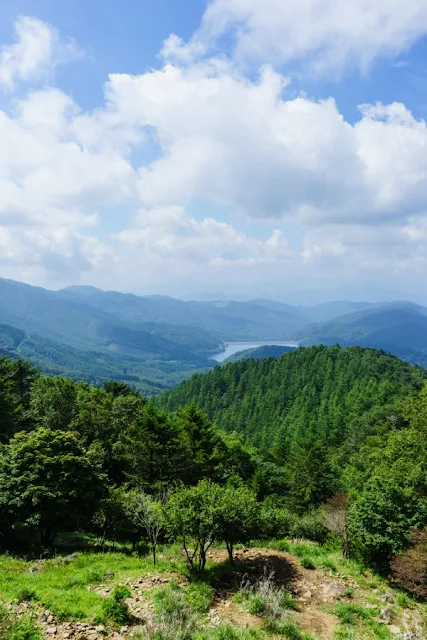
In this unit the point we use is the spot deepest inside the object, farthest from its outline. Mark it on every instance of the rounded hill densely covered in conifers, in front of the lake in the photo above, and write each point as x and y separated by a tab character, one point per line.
334	395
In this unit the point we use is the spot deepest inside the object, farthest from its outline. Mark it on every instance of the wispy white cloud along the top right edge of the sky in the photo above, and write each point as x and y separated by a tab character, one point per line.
324	36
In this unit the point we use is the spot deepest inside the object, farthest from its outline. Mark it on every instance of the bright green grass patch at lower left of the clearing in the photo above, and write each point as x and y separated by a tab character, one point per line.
62	588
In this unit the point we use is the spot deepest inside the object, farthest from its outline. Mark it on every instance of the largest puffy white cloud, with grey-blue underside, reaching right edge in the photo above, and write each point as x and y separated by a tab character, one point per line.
251	148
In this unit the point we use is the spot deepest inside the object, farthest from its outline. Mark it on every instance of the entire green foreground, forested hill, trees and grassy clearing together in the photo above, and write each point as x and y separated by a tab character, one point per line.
341	462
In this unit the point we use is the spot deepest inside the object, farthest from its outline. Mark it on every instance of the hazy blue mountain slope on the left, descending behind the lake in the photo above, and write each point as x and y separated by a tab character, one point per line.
155	341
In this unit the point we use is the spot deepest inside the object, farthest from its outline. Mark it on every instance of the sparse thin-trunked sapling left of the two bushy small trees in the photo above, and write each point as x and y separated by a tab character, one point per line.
147	513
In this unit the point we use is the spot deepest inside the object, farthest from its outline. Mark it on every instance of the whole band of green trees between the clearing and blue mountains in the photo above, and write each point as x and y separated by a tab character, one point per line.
108	462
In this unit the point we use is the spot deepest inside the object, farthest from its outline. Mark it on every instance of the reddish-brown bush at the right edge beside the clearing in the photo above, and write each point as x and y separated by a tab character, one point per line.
409	569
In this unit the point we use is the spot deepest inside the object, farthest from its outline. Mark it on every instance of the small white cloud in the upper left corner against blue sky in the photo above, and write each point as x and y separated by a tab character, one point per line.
37	50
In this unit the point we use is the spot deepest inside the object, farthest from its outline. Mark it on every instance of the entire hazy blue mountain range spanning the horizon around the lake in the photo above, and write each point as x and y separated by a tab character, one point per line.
156	341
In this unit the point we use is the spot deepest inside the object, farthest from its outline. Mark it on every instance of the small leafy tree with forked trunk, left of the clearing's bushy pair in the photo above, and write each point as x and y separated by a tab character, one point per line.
192	518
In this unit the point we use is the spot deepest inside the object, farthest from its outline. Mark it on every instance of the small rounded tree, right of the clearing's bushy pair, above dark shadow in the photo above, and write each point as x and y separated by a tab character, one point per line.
238	516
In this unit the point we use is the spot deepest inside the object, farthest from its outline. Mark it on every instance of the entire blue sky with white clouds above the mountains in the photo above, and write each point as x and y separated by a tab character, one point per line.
228	147
